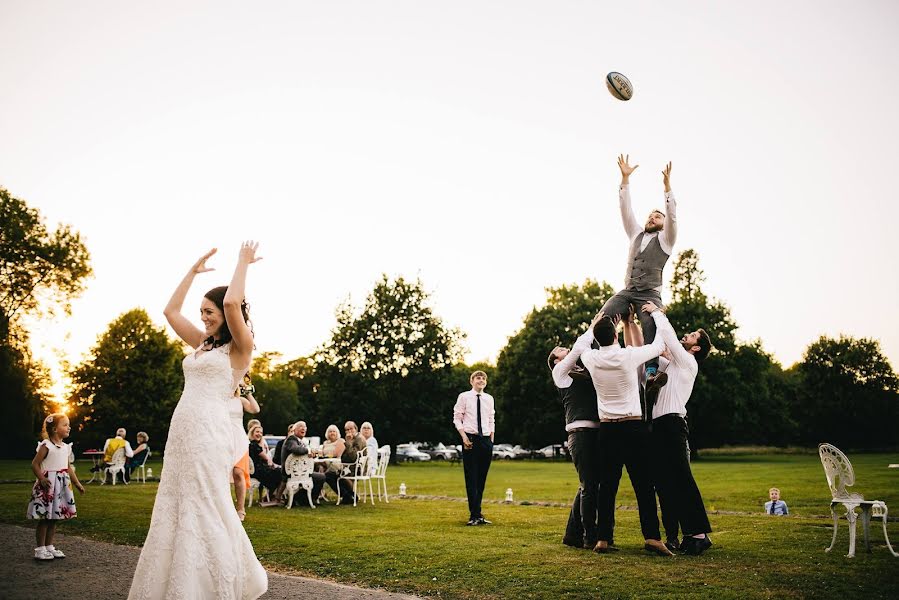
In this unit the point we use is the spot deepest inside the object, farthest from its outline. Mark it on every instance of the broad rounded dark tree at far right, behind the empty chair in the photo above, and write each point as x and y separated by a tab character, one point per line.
848	394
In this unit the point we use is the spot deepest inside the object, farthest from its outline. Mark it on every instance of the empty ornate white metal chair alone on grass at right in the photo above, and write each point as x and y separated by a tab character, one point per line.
840	475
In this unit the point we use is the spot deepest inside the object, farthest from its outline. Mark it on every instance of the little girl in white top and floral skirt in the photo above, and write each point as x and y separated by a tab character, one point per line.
51	497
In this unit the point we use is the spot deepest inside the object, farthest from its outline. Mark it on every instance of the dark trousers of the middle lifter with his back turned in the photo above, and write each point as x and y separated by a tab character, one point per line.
626	444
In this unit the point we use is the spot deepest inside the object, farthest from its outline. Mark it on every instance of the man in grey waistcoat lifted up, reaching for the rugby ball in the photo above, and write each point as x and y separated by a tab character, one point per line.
649	250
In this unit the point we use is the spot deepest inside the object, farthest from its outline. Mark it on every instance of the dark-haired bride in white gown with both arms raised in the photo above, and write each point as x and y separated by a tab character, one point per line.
197	546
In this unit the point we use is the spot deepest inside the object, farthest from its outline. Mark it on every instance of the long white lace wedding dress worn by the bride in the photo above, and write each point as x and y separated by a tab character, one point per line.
197	546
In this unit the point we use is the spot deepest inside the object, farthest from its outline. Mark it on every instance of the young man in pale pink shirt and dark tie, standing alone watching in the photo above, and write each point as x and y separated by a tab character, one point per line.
474	416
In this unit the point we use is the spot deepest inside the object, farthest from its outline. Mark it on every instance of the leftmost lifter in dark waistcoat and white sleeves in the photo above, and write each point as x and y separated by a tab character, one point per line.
578	398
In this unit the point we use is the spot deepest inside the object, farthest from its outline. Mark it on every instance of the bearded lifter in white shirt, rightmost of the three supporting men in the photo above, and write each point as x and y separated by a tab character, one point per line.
678	492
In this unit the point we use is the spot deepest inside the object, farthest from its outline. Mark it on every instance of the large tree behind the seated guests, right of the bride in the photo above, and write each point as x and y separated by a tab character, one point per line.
390	364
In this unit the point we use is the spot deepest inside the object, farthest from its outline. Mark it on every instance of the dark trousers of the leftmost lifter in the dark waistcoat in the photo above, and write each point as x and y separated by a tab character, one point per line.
583	445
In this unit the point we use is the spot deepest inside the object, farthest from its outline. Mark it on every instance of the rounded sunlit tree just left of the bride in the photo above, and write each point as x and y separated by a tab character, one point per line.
133	379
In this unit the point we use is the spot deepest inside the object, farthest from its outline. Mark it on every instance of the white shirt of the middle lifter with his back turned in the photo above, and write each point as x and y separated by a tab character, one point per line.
614	371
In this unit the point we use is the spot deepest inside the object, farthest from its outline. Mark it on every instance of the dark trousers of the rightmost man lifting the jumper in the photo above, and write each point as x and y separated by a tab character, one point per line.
678	493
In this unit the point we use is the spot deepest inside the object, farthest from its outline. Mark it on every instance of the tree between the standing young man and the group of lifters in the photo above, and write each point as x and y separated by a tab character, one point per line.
528	407
